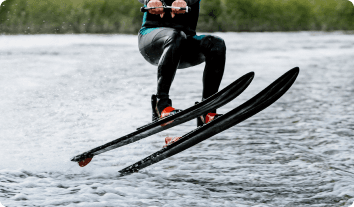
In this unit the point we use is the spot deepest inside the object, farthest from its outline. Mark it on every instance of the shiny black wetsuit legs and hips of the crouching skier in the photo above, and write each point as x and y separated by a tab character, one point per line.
164	47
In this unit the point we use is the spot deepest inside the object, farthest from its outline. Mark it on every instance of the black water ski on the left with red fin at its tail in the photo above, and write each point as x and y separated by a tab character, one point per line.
215	101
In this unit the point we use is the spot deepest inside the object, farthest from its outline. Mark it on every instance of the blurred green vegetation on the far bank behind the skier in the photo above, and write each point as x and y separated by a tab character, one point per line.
123	16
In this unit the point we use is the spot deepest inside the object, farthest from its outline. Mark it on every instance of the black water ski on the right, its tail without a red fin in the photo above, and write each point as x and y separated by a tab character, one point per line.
254	105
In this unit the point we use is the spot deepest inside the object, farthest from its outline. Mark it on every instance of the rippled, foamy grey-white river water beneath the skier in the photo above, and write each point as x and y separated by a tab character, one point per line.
65	94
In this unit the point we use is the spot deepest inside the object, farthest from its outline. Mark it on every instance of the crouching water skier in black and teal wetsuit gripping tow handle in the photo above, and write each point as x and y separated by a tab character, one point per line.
169	41
